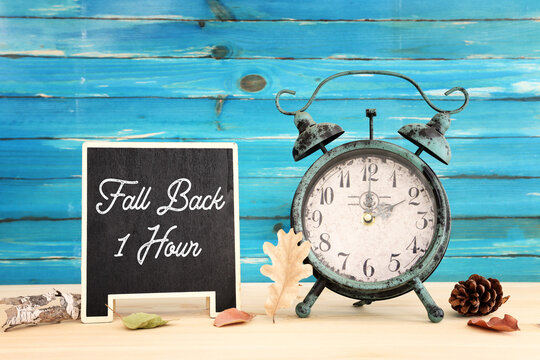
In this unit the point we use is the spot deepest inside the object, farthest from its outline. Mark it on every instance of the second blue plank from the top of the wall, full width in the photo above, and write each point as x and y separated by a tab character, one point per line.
298	40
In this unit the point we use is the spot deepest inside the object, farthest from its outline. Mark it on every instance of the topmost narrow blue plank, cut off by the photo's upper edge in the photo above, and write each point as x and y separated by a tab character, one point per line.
275	9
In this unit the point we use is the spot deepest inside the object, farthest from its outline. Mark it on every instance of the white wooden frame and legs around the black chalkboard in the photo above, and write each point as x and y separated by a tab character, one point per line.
210	295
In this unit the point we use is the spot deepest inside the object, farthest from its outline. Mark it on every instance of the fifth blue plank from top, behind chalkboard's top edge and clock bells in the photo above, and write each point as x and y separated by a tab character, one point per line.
271	158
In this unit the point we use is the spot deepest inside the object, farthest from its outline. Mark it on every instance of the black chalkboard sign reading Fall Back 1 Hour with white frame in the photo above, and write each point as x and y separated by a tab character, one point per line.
159	220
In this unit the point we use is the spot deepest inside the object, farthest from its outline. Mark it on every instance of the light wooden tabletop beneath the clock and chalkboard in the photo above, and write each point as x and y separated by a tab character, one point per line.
394	329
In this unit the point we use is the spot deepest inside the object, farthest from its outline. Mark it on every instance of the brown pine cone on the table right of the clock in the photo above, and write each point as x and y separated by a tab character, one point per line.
477	296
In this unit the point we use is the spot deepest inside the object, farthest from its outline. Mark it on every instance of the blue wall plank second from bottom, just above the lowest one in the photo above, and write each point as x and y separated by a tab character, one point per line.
471	237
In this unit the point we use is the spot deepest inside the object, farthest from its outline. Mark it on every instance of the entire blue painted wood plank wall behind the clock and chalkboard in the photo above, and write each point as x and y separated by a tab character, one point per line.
155	70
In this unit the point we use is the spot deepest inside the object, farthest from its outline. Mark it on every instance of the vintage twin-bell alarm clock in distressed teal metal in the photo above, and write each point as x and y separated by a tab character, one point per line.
376	215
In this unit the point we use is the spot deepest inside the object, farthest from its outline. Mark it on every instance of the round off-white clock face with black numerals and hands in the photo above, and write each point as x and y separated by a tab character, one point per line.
370	215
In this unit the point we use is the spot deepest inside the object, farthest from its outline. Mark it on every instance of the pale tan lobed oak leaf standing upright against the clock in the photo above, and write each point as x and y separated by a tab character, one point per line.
286	271
